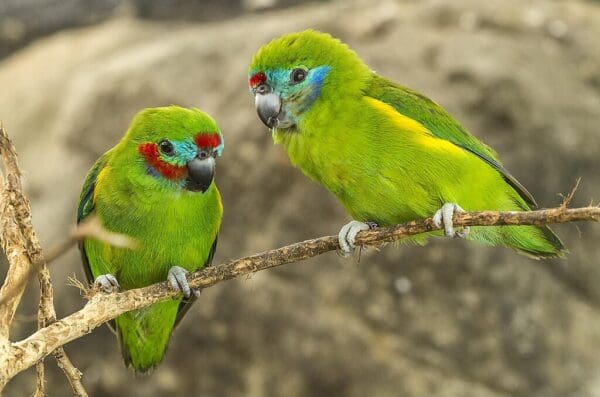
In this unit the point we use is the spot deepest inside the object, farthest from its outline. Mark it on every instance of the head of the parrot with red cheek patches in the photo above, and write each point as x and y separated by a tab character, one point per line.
174	147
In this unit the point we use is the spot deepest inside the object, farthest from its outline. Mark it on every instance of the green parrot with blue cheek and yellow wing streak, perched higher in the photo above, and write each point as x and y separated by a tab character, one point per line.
388	153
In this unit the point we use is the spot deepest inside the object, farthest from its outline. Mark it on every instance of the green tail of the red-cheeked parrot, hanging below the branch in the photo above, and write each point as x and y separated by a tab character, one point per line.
144	335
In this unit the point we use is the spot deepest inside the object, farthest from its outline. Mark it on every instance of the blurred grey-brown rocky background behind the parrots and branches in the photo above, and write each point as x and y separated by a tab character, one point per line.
448	319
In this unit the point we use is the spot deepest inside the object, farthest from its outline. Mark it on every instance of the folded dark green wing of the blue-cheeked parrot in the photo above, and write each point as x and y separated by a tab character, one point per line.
441	124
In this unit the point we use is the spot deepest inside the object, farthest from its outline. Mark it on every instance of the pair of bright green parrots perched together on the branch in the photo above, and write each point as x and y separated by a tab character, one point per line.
388	153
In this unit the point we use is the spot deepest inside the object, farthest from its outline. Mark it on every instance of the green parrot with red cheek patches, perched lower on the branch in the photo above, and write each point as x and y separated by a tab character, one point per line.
156	186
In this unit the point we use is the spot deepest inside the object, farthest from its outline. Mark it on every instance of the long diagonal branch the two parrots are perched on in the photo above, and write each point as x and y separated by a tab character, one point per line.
103	307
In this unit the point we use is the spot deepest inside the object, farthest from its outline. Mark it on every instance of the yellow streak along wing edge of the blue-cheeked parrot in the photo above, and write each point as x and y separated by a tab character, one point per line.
421	134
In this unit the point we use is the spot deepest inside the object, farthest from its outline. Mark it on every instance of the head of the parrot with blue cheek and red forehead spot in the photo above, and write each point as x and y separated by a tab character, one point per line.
297	72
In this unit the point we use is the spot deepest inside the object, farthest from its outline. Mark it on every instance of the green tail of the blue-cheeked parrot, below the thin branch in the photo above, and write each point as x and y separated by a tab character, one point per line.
534	241
